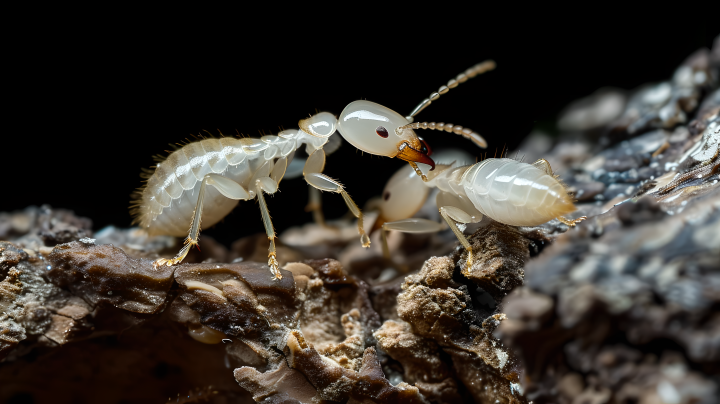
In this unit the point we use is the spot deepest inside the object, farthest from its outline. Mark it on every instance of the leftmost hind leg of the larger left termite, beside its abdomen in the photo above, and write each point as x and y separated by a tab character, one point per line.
225	186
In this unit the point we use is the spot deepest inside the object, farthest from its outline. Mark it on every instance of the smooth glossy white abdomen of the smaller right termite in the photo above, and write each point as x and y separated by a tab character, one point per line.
516	193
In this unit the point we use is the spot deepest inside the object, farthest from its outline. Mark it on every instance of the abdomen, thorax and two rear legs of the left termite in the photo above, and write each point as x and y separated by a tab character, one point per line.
203	182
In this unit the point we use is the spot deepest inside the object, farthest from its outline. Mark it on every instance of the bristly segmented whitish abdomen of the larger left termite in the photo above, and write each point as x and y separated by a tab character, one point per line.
167	202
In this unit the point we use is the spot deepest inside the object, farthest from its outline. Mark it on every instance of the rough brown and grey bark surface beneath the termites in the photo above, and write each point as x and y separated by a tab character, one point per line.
621	309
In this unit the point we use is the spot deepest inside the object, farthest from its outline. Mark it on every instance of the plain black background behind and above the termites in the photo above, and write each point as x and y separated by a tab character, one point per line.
90	102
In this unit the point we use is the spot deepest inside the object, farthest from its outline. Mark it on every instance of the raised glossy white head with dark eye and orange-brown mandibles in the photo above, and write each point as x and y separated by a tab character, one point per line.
375	129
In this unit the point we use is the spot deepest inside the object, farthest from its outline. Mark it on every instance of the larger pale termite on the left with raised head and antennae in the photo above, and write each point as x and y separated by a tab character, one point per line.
203	181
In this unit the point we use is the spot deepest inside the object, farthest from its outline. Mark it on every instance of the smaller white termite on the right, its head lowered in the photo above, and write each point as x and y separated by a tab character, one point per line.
506	190
